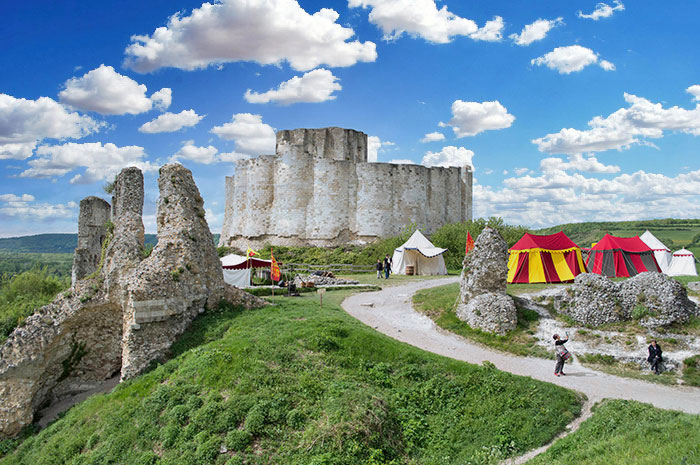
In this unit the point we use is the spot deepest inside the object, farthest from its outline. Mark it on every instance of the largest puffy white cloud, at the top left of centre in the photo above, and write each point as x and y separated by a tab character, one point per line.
267	32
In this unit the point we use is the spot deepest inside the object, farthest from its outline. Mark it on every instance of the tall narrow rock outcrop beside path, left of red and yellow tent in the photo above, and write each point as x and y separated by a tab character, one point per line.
483	302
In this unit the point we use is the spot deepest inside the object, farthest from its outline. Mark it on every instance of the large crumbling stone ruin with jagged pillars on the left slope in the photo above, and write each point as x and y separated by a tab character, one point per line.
129	311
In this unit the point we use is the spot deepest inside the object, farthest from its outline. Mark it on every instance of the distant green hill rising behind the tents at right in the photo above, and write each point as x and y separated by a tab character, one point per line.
675	234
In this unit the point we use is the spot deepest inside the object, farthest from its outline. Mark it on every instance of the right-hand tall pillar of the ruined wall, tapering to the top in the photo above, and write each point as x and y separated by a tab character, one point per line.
179	280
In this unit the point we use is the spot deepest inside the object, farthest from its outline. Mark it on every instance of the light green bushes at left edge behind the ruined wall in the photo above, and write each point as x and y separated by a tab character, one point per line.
23	294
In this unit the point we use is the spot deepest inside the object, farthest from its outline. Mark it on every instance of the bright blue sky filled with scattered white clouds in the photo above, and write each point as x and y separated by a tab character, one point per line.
568	111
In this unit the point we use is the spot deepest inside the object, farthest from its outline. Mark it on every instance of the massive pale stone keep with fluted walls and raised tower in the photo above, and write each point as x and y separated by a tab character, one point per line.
318	189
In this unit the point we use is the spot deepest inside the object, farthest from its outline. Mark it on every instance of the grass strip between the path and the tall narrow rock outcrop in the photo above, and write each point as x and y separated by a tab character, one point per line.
439	302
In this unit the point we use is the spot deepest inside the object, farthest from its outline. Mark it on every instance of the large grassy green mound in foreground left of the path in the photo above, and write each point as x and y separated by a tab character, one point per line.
297	384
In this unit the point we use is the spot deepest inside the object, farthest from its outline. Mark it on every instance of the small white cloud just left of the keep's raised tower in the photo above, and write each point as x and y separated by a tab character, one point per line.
251	135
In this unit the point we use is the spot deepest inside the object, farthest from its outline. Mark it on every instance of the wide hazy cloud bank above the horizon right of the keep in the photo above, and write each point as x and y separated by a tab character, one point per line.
557	197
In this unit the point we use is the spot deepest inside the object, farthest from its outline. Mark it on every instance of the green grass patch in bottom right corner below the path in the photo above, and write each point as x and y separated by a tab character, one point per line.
630	433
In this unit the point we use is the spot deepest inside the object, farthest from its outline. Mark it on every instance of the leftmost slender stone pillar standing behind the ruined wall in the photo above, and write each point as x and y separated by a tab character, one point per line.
95	214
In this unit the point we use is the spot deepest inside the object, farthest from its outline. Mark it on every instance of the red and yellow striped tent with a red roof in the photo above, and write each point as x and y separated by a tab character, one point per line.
544	259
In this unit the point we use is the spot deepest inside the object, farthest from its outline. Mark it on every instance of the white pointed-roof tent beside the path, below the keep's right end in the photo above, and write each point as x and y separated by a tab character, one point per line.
421	254
